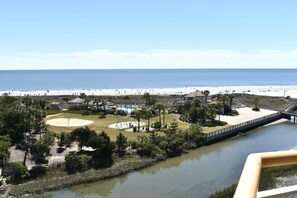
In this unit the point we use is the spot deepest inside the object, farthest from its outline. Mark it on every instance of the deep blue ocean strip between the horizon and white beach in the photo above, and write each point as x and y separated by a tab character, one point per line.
30	80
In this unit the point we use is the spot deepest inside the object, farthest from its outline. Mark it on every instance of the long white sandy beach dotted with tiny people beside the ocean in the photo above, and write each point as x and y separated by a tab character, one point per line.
277	91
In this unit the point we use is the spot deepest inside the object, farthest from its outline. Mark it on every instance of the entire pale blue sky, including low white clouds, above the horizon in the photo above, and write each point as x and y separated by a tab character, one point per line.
147	34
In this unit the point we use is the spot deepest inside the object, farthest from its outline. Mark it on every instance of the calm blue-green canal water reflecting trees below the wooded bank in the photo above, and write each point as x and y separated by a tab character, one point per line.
196	174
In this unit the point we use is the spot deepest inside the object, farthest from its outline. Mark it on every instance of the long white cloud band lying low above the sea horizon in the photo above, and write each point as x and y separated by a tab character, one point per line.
106	59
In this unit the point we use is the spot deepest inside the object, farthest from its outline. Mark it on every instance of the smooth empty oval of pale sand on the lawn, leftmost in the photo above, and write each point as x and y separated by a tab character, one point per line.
68	122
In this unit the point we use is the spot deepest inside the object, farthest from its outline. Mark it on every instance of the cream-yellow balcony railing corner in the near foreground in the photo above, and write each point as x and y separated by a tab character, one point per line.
248	184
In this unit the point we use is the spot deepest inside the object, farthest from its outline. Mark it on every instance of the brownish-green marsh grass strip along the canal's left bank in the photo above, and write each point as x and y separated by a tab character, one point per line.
44	185
